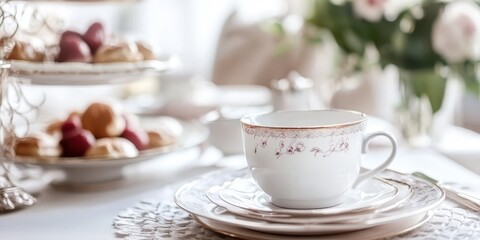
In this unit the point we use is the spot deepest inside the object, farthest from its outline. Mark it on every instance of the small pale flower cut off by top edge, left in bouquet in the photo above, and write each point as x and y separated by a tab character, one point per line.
371	10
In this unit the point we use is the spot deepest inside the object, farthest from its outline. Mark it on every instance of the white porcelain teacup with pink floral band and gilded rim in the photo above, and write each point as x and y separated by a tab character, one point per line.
308	159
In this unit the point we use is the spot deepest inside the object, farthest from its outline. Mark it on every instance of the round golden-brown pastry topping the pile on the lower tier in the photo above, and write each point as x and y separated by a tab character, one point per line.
103	120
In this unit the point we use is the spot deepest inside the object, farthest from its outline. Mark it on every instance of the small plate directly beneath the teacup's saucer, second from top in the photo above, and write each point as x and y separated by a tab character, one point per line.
404	192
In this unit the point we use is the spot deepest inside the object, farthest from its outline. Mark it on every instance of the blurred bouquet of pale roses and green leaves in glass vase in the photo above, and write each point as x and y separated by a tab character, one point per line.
429	41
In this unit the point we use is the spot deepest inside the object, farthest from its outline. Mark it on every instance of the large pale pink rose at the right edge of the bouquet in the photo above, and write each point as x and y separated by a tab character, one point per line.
456	32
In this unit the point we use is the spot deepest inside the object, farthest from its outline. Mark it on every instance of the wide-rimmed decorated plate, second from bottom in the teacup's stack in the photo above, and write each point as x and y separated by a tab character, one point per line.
191	197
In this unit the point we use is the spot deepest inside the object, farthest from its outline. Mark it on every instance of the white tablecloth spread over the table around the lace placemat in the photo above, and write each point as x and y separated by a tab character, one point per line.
61	214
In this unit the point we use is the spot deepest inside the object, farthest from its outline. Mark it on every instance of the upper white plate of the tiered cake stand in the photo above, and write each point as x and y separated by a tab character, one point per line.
73	73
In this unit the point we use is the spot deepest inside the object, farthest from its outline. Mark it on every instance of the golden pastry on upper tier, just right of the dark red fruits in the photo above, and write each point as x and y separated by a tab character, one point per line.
122	52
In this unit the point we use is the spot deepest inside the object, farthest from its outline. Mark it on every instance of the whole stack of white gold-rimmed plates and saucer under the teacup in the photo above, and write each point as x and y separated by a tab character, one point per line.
231	203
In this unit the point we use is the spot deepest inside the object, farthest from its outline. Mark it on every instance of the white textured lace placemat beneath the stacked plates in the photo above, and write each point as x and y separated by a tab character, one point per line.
160	218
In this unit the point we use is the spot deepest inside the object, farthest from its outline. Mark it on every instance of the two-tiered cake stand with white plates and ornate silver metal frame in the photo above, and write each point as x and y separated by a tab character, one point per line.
77	170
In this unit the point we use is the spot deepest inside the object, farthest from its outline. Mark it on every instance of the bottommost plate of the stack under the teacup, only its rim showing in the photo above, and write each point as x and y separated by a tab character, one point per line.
379	232
